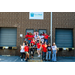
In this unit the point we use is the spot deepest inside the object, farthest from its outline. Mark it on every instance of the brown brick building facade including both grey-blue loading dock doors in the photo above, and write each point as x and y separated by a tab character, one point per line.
12	24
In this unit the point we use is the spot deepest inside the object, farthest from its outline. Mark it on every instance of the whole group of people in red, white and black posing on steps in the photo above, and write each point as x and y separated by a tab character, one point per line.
39	42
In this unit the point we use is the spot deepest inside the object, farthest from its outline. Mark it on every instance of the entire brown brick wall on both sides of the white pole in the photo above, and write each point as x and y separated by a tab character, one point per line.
21	21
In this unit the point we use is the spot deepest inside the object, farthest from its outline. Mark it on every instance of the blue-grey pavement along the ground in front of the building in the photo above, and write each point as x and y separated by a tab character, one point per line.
7	58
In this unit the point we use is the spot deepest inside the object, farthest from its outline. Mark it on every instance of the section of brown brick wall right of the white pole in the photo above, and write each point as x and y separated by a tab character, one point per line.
64	20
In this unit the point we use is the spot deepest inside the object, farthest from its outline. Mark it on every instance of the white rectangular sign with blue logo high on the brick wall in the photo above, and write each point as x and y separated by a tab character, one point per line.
36	15
